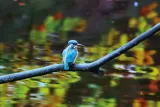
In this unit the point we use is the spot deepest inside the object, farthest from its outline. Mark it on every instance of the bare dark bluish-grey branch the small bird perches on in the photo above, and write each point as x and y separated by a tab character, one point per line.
92	67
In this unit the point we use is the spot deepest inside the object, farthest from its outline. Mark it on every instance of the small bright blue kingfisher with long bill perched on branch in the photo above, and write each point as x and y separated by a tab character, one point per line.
70	54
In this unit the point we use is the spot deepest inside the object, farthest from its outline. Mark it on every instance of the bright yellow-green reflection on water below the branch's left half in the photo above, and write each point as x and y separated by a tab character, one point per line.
47	91
